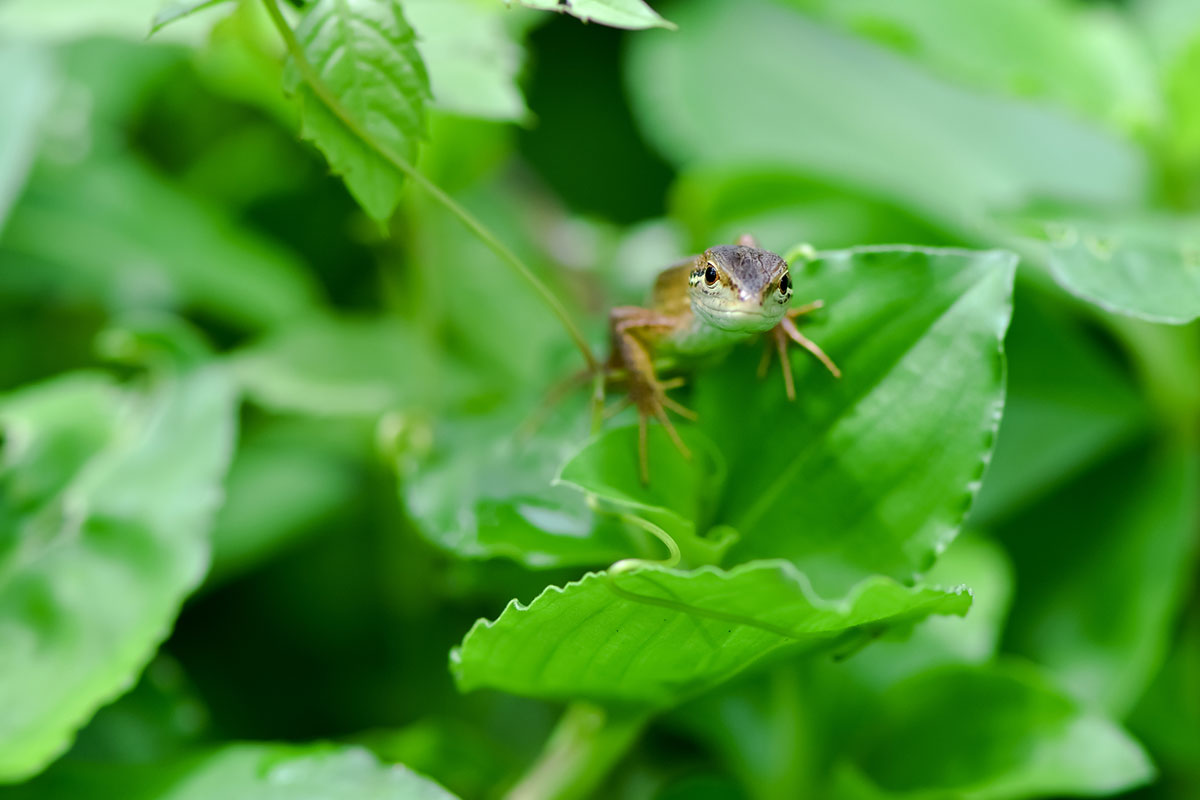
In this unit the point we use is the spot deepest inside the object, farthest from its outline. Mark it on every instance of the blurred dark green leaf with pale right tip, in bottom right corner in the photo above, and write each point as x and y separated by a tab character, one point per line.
991	733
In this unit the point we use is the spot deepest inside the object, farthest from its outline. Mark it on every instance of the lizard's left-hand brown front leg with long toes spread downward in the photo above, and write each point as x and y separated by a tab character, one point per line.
632	334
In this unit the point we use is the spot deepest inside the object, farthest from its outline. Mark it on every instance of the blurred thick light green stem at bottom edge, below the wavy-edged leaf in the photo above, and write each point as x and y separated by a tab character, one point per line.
585	745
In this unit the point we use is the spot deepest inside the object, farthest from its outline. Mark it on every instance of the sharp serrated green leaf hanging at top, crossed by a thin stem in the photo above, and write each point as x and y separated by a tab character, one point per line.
365	55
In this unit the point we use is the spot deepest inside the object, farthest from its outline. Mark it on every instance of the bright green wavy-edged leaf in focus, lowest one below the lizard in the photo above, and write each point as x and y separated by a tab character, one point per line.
653	635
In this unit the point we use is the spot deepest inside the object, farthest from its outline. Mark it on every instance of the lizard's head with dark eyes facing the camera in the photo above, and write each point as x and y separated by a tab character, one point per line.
739	288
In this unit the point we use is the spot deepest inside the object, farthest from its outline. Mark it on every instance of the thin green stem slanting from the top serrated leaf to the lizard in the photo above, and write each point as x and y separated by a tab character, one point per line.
322	92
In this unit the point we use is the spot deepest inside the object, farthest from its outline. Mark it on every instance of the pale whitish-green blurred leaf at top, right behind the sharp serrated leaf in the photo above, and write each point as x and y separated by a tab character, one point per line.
472	61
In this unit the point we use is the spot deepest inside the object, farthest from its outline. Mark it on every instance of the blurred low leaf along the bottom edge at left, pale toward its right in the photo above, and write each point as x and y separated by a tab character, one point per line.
241	773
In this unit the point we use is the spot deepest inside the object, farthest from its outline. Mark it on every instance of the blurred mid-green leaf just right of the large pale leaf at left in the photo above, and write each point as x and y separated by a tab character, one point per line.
286	479
